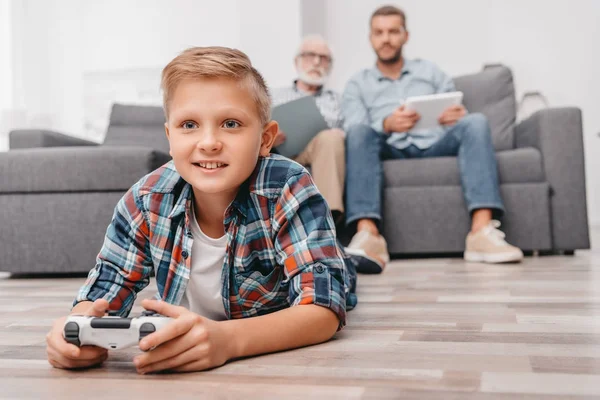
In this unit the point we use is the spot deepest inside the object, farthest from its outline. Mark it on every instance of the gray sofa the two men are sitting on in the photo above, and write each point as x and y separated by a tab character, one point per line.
541	171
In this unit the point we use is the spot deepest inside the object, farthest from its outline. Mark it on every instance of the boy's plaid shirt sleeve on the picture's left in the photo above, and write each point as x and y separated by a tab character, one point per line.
124	265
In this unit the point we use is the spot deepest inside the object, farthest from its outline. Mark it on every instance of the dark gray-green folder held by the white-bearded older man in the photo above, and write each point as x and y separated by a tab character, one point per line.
300	120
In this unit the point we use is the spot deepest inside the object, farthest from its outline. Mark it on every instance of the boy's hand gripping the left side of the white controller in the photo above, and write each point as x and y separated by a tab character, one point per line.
62	354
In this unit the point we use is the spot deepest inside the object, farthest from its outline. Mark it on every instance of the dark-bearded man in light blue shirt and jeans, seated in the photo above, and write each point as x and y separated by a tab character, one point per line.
380	128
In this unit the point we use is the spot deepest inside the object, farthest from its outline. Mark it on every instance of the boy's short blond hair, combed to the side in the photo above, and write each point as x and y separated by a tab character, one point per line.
216	62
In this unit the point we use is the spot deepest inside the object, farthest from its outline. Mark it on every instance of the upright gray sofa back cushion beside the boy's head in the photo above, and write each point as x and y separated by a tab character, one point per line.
134	125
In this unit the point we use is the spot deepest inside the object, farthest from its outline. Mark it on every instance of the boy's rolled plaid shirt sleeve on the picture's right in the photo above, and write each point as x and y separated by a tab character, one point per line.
307	248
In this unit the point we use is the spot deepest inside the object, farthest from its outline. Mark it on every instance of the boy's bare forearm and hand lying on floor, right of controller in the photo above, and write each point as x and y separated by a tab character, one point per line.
194	343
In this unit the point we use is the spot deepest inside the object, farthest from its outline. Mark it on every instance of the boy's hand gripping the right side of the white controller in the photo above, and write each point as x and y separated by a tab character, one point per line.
188	343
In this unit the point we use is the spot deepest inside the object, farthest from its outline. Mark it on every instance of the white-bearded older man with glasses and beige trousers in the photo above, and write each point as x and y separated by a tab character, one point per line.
325	153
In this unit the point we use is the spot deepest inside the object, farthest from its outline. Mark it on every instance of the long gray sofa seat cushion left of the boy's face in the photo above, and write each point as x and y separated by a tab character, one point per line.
76	169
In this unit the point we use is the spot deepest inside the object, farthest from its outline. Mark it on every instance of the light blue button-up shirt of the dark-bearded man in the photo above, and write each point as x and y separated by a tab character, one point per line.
369	97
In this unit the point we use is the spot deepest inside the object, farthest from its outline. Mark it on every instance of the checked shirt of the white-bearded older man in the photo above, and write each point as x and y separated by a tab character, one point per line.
327	101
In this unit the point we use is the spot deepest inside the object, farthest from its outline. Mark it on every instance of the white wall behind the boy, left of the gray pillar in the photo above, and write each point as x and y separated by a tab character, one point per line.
70	55
